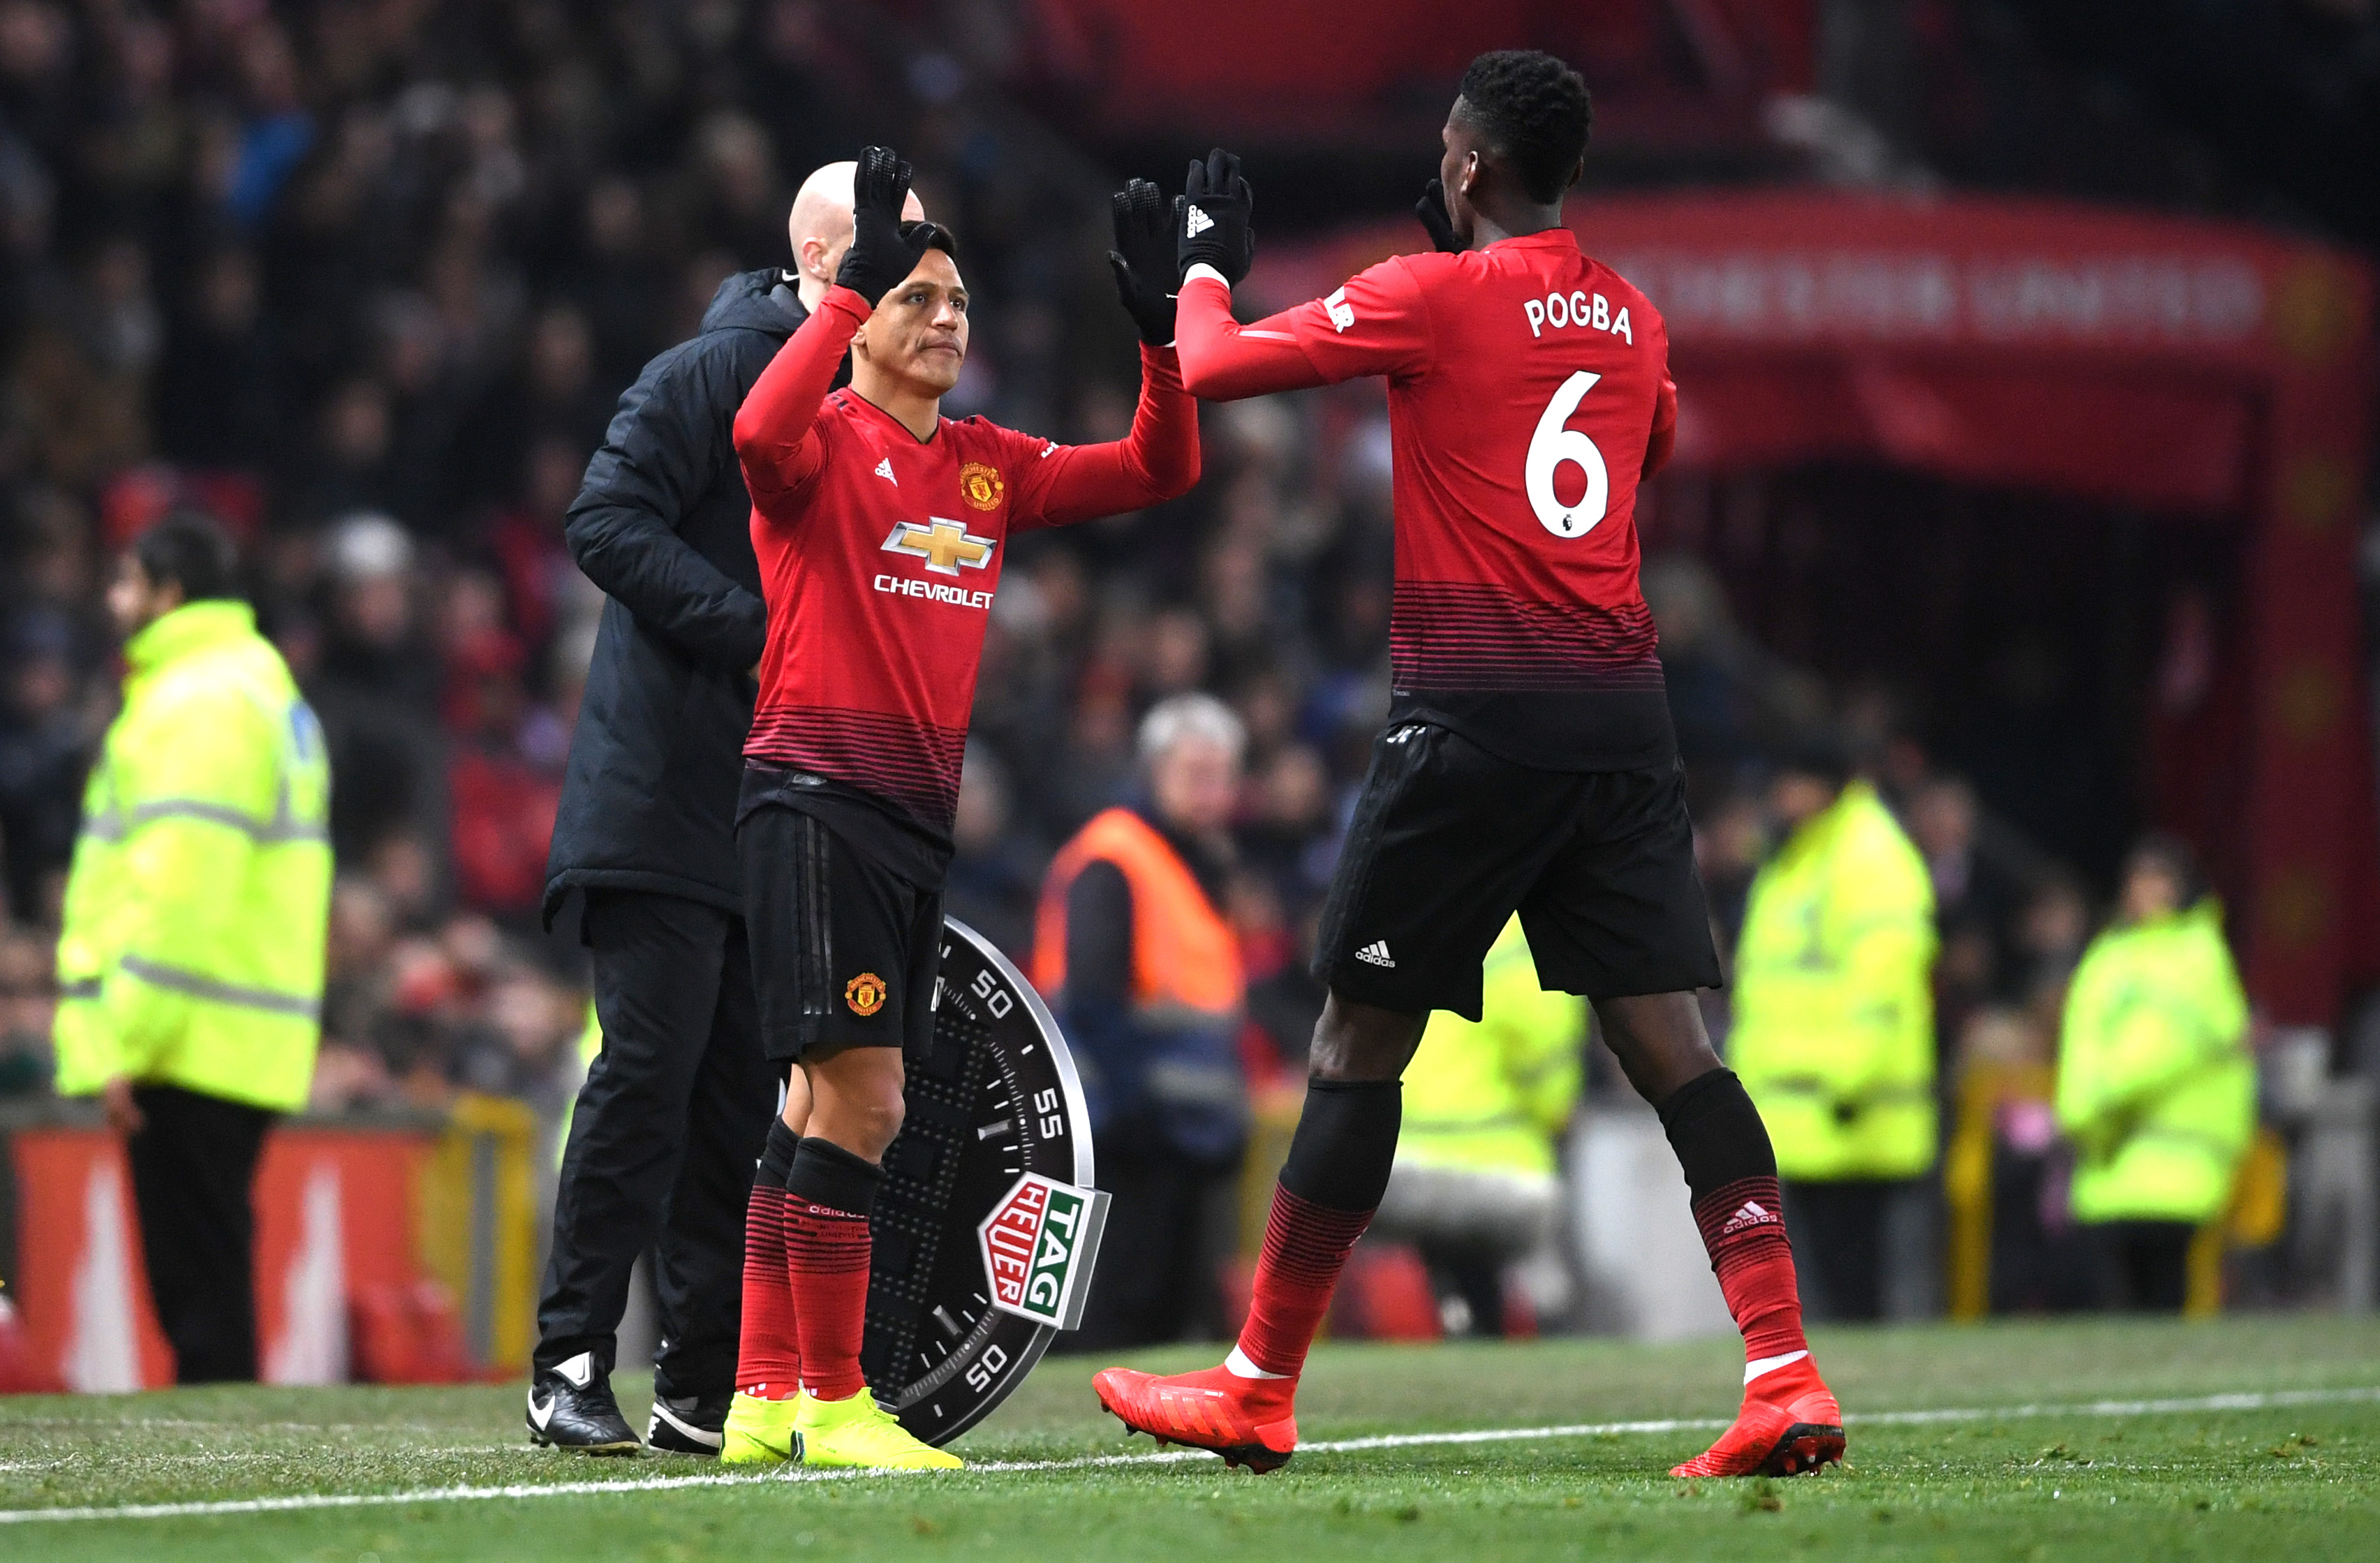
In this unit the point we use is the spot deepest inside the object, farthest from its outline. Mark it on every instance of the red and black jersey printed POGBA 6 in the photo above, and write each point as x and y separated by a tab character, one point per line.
1527	384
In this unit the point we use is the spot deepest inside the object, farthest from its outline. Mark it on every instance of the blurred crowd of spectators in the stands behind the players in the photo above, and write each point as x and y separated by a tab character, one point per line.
365	280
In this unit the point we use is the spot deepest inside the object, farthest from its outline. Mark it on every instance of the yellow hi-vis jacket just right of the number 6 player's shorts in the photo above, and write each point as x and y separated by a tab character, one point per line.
1834	998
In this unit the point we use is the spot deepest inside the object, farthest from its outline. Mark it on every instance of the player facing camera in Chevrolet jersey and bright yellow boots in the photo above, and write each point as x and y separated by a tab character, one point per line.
882	529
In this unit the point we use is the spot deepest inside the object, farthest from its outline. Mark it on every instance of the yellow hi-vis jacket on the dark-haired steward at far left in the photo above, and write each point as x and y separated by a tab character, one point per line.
201	889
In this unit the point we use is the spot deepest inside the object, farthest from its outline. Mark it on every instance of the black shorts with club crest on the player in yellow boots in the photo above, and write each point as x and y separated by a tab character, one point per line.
844	950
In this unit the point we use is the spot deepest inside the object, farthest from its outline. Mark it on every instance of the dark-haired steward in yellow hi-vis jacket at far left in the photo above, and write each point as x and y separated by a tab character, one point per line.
192	955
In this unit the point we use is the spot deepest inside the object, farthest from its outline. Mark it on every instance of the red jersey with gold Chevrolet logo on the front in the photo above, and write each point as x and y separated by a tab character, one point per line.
879	555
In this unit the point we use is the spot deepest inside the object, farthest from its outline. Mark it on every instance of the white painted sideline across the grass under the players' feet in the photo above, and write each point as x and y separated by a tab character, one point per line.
2255	1400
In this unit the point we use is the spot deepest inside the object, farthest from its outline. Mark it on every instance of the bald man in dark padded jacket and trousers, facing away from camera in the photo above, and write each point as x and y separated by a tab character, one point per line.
675	1112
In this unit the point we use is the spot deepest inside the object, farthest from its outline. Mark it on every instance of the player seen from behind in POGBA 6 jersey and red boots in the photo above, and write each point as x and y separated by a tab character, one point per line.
1529	762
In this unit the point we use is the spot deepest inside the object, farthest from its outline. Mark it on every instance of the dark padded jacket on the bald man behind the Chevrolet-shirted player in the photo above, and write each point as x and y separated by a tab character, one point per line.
665	529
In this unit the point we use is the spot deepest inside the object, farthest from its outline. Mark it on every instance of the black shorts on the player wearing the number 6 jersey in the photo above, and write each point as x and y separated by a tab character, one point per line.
1448	841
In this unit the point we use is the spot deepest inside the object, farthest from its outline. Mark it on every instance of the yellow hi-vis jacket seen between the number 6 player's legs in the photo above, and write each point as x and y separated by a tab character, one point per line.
1496	1093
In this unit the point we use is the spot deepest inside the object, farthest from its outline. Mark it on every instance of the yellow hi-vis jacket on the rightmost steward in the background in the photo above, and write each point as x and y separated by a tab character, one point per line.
2155	1081
